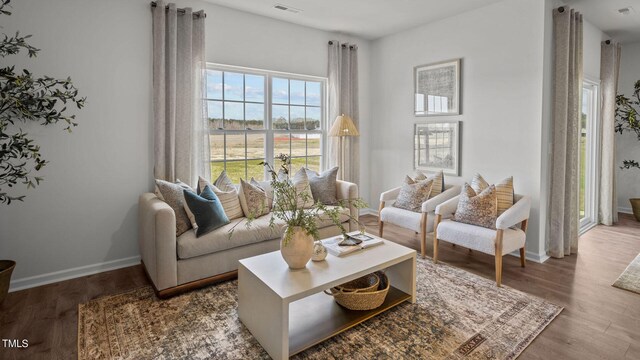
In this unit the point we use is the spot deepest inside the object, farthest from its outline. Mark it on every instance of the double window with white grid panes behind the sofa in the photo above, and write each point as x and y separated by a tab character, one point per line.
255	115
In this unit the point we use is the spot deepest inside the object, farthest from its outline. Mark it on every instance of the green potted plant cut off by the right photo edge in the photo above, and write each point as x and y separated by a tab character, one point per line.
628	120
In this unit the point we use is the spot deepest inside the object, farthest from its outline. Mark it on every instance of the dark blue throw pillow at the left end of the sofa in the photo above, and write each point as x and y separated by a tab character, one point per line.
206	209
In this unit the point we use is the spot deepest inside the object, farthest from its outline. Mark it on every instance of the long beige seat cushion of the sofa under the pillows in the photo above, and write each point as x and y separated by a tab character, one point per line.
190	246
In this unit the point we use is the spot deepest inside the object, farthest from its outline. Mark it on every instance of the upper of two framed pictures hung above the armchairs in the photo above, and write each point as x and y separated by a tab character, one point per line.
437	88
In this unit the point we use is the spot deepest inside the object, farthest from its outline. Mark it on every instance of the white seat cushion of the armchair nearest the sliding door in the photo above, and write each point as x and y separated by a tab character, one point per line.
479	238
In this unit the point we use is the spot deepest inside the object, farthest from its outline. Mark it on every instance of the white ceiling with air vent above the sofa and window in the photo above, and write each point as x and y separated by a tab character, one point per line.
369	19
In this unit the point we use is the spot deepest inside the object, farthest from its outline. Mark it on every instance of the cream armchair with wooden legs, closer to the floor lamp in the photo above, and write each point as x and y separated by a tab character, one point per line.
421	222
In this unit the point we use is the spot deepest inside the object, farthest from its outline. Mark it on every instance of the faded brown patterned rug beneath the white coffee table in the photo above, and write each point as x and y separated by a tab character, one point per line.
458	315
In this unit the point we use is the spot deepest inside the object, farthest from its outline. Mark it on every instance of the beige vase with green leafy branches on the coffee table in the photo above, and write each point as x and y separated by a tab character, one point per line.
298	239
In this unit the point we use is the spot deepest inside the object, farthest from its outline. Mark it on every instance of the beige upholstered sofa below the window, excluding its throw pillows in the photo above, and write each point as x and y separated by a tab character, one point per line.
180	264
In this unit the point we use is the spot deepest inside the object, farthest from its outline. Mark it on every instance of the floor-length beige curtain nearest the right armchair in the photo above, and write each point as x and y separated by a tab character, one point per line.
563	198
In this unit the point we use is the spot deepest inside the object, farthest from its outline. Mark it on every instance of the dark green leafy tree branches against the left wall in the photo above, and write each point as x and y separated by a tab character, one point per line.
26	98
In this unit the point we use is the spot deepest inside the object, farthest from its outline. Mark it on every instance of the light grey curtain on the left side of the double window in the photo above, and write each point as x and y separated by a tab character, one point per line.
180	124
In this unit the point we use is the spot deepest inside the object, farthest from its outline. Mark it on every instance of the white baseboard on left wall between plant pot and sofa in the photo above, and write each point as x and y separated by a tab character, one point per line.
33	281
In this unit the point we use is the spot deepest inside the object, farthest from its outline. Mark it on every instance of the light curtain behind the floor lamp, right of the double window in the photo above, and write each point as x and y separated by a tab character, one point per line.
343	99
